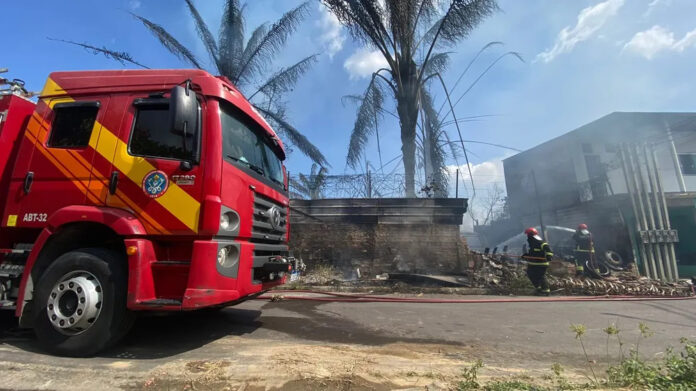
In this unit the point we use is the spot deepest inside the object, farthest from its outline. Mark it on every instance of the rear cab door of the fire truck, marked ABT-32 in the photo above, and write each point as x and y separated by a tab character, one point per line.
59	170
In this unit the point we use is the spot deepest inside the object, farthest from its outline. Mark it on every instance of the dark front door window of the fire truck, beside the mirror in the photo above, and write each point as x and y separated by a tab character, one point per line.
151	136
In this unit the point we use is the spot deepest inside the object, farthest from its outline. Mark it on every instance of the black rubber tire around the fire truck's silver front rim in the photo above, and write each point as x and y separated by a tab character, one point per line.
113	319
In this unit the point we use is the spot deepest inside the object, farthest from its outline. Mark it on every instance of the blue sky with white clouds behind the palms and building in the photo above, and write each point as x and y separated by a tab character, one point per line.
583	59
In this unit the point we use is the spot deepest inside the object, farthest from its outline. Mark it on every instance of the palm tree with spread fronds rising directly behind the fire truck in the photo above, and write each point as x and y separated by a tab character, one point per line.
245	64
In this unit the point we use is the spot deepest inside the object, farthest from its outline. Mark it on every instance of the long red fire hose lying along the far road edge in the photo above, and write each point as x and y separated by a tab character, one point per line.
358	298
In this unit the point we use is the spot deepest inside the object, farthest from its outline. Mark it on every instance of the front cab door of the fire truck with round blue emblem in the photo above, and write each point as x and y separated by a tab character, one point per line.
160	173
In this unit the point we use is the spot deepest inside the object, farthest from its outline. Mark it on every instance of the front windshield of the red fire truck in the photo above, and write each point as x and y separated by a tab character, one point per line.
247	145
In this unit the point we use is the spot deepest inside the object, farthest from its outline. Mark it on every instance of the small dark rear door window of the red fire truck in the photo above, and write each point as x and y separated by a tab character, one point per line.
72	124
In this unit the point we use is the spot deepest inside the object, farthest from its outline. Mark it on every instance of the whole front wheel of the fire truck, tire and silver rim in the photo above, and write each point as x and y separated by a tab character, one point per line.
80	303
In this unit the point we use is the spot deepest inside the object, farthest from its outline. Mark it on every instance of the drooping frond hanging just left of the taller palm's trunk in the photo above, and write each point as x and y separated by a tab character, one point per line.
365	123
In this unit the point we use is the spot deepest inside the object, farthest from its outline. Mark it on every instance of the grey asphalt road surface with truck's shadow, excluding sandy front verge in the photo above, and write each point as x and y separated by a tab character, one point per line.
519	335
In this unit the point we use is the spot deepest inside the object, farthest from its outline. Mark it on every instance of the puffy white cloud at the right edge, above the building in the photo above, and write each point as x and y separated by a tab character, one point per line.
657	39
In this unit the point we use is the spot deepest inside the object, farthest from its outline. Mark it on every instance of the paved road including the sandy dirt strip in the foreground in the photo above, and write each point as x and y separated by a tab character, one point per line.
318	339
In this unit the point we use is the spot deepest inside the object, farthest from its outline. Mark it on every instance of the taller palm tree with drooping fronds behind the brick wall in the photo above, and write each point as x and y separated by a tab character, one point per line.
411	35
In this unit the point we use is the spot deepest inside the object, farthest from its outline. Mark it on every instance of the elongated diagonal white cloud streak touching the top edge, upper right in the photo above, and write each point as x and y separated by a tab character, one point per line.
590	20
